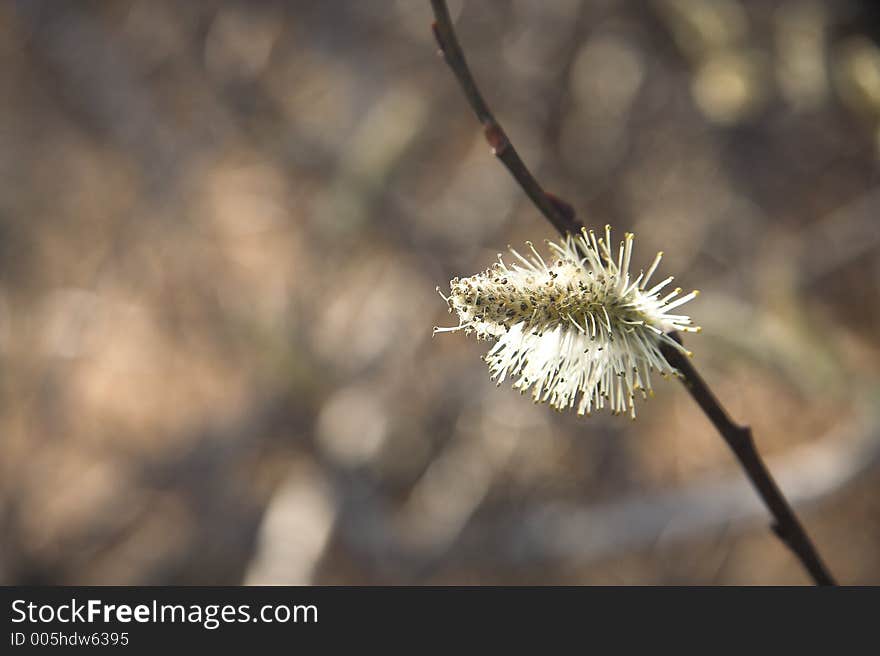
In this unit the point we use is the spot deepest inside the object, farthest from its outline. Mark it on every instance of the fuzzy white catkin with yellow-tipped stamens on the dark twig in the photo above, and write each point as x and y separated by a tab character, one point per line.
576	325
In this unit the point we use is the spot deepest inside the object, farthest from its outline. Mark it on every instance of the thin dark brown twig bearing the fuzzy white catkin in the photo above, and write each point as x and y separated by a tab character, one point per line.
562	216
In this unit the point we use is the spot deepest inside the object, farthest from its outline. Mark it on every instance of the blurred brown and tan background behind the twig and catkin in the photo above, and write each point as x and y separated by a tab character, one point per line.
221	226
